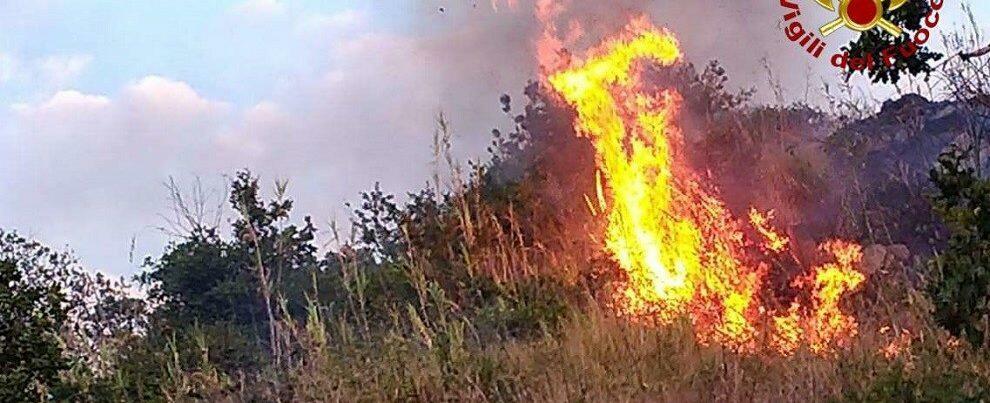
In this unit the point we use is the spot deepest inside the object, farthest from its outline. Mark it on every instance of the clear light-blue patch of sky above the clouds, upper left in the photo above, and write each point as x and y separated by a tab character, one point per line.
232	49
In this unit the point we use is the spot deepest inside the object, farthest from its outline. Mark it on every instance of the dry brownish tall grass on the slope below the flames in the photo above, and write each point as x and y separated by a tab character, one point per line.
508	310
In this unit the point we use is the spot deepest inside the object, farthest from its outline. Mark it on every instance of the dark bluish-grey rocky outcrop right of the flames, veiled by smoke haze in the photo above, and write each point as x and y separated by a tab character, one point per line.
882	165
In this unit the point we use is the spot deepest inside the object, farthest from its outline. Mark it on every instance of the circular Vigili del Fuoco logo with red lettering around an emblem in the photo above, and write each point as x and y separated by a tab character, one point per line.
860	16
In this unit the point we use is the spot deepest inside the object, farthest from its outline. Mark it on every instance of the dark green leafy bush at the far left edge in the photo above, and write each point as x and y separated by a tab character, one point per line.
58	318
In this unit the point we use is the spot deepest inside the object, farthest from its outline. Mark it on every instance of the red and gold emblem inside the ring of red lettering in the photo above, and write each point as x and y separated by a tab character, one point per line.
861	16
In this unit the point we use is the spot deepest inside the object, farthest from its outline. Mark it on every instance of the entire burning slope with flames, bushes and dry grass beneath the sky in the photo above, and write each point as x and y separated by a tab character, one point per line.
642	233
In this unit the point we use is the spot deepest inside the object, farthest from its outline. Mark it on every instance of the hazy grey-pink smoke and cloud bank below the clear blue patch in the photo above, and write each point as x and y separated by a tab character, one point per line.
360	109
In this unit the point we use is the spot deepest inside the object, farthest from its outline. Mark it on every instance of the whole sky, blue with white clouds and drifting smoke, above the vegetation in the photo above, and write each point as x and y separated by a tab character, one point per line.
102	102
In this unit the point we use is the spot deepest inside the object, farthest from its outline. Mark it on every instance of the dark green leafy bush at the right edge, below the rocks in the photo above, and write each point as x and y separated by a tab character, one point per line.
961	292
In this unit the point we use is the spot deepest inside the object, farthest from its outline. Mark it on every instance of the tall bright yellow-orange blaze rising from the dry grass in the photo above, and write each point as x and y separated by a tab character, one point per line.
682	251
